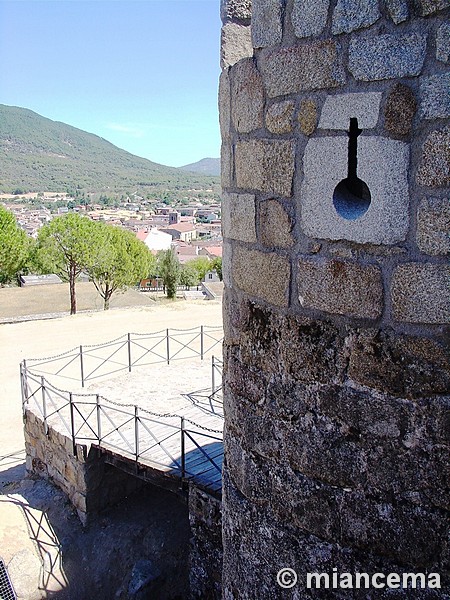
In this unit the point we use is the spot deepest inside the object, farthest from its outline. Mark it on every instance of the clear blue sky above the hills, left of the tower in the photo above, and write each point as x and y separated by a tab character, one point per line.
143	74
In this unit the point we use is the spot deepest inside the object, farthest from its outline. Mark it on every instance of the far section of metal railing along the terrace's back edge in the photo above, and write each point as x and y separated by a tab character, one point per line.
85	363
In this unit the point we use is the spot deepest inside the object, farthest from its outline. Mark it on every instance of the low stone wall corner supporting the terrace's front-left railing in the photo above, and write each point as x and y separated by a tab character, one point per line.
81	472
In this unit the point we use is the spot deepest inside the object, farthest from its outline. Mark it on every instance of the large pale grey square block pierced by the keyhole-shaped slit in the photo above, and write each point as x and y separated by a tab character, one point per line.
382	164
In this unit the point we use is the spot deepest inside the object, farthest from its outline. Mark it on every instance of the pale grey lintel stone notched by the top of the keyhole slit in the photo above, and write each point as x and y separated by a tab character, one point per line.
338	110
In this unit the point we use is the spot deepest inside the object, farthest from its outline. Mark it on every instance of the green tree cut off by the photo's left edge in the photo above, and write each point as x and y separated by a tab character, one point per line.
14	246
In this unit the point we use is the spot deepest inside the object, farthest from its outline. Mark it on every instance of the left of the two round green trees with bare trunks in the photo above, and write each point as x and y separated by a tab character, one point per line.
64	247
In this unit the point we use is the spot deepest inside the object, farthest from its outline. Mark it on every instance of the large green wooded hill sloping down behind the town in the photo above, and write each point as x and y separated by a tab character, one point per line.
38	154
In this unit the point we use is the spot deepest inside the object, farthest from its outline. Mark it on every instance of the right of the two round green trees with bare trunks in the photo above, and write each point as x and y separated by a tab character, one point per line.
121	260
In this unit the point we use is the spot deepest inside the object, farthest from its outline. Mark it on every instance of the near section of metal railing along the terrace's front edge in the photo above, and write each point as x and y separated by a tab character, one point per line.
167	442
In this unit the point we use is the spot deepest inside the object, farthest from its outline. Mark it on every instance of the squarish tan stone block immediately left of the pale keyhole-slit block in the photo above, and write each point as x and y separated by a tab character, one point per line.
265	165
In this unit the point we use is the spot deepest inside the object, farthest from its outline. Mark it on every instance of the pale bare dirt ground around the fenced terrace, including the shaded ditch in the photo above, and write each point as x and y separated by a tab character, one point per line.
48	553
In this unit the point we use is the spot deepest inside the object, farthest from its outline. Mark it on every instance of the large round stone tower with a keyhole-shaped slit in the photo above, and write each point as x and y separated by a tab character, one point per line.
335	170
